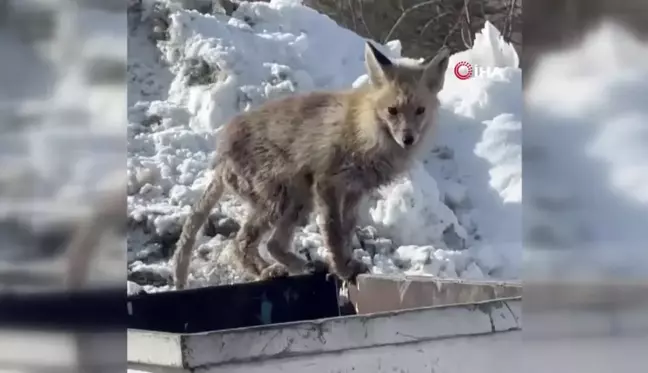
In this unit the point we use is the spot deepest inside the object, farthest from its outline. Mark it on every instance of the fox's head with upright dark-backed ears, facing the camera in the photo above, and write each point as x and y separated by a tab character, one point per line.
405	97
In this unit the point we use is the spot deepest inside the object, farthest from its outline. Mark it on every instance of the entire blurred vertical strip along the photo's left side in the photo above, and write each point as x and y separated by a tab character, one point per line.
62	191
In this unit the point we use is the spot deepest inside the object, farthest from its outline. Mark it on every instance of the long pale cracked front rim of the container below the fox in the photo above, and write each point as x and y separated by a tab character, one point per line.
246	345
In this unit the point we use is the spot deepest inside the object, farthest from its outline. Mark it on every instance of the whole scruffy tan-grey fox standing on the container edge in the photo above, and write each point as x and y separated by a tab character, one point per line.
319	152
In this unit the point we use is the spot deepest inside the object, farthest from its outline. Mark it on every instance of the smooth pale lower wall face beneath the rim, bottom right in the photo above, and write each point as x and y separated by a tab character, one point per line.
457	355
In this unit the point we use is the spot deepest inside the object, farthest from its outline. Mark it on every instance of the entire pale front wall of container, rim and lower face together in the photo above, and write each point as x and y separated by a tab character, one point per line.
435	339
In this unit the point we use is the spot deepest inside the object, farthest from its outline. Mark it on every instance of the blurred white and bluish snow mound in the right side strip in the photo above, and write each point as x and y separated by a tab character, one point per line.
587	130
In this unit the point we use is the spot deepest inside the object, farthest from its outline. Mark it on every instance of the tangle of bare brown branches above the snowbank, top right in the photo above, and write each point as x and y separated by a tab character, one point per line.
422	30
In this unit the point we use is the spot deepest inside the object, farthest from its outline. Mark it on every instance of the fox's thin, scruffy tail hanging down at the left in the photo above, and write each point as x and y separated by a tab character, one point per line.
196	219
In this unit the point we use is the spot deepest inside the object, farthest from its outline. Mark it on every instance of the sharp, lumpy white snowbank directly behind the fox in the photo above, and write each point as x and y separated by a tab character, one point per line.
455	214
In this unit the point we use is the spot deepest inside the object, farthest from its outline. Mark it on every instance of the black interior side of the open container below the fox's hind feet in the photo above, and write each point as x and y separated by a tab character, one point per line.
290	299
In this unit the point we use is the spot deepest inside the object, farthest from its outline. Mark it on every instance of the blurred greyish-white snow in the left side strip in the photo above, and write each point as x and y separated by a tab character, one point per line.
61	134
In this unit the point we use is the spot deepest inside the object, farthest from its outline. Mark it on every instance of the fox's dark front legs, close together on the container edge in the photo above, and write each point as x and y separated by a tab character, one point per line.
338	218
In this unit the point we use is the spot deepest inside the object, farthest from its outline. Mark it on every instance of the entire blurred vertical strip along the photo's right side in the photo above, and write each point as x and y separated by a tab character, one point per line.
585	190
